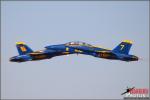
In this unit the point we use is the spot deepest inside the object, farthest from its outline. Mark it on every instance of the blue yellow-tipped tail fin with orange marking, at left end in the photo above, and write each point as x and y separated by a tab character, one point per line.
23	48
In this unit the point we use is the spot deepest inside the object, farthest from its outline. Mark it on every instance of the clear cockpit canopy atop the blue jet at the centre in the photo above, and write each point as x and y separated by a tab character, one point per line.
78	43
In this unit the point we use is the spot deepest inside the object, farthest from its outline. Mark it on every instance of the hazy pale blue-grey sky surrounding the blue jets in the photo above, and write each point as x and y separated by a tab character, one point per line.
43	23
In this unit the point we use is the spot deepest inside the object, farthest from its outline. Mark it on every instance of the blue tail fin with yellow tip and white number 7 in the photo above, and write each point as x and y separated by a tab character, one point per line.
123	47
